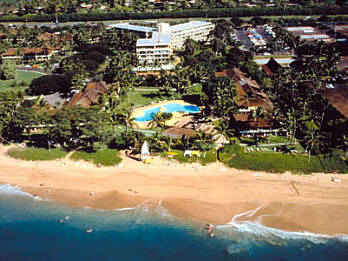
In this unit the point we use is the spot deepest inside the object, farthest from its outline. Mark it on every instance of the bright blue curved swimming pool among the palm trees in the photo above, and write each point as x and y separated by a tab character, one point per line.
169	107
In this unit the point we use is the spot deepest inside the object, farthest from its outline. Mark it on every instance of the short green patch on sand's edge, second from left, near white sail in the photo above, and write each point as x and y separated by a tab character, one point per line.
106	157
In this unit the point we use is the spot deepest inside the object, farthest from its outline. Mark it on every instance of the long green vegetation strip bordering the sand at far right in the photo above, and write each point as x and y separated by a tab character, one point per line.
235	157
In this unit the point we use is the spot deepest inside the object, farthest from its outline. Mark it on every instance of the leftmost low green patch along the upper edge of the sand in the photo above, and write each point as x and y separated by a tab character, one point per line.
36	154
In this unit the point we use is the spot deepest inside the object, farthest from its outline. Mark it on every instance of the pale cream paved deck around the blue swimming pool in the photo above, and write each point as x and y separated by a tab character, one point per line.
144	124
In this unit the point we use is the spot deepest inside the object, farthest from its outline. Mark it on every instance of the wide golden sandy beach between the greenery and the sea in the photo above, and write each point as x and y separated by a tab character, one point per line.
207	194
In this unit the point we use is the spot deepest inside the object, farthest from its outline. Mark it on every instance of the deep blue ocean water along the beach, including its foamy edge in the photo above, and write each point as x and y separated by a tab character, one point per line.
36	229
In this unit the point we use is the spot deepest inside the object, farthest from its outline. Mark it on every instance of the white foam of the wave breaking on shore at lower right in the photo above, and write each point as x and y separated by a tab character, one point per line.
259	229
